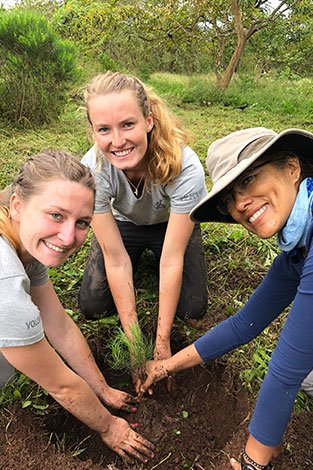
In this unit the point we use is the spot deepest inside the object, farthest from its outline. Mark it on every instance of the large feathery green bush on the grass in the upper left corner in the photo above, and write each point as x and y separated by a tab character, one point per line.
35	66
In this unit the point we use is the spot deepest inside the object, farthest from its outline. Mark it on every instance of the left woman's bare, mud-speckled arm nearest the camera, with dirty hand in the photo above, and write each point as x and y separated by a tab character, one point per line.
43	365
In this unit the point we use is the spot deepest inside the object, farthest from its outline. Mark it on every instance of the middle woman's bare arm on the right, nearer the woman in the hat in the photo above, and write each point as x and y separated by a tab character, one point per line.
177	236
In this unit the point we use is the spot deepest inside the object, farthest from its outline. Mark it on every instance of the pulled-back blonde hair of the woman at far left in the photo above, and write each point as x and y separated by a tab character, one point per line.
37	170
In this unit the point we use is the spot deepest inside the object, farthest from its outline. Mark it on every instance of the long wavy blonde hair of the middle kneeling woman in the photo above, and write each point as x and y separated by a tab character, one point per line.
165	140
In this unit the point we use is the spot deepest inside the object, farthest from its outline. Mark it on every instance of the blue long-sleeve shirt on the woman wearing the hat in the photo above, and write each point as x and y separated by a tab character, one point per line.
287	280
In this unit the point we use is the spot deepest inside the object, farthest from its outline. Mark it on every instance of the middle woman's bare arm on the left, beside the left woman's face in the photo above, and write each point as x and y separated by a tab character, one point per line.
118	268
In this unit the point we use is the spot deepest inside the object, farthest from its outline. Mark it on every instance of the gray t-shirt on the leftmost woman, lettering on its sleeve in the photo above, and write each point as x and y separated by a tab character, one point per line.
20	318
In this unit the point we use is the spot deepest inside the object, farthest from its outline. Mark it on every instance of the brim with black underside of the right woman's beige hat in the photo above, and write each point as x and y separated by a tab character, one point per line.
297	141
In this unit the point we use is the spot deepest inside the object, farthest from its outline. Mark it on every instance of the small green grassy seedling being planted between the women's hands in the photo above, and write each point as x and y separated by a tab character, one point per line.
130	355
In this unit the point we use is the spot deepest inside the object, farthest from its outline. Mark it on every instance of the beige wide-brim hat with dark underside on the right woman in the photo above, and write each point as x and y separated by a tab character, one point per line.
230	156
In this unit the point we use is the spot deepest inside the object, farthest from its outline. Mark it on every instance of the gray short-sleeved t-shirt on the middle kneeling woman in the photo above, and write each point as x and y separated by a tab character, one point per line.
153	207
